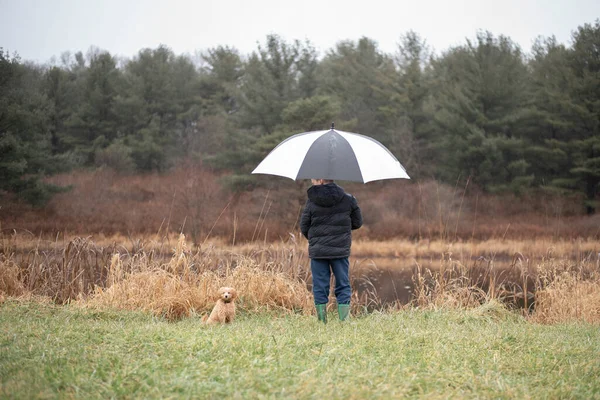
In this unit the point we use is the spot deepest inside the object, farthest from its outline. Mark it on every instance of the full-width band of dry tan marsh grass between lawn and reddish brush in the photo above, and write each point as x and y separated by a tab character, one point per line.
555	281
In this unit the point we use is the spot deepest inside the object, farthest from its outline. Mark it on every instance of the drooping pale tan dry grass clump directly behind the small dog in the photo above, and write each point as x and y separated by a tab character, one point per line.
181	288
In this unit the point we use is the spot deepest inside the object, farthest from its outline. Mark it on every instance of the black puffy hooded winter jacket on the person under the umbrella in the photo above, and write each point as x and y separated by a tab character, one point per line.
328	218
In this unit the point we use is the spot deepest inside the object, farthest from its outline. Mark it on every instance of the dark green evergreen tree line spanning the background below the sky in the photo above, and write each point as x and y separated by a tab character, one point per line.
483	111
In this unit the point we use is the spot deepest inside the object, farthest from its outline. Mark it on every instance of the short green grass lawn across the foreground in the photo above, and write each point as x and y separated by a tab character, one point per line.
50	351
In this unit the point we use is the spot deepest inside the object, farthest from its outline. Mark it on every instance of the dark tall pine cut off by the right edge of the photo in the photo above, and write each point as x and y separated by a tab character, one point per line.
567	100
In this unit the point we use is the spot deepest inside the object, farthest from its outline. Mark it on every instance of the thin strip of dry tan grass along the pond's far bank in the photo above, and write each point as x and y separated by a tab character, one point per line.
294	246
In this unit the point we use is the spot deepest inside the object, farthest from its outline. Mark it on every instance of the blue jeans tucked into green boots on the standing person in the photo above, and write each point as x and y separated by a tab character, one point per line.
321	270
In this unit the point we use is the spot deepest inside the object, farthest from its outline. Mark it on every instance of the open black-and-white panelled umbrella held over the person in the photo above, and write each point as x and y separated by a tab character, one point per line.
334	155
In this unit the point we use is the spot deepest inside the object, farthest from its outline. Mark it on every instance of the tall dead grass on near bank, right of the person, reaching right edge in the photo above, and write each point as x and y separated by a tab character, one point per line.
553	291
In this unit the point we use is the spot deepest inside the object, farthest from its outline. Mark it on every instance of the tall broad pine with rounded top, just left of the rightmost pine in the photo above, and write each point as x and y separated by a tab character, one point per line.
480	110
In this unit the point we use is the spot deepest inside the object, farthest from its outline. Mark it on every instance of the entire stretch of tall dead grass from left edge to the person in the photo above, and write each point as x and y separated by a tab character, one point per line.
181	285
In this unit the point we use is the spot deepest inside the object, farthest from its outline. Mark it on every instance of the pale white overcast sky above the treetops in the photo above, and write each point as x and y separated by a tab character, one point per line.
40	29
